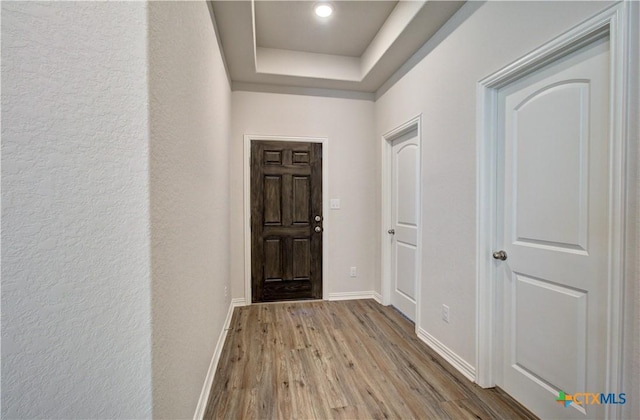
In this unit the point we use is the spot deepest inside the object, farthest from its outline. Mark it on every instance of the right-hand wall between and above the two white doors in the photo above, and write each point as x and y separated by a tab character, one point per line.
442	86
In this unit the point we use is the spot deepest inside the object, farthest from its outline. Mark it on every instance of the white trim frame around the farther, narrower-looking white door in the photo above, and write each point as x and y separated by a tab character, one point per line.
386	144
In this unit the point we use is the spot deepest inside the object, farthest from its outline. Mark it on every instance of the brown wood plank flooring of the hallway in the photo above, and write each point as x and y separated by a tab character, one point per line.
341	360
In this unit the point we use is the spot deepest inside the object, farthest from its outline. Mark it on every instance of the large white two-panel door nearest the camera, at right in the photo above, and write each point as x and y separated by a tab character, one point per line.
553	224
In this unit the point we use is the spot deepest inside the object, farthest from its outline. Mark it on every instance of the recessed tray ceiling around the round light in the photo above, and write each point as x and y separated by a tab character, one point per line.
280	45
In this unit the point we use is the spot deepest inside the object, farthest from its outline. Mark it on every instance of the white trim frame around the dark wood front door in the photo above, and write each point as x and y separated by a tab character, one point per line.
326	227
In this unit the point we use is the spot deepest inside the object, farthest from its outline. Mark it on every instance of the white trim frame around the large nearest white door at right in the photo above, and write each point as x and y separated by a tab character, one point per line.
613	22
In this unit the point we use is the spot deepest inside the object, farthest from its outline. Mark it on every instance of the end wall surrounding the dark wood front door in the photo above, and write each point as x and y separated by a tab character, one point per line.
352	153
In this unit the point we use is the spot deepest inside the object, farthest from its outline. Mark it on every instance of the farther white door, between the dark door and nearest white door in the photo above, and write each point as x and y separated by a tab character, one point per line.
405	177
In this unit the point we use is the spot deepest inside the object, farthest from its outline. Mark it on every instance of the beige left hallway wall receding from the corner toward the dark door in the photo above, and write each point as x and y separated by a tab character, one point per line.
189	121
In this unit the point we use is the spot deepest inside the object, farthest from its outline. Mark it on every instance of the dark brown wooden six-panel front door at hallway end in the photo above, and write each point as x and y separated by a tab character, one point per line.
286	221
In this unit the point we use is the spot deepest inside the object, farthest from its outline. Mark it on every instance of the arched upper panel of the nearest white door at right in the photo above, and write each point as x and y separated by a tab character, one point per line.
544	162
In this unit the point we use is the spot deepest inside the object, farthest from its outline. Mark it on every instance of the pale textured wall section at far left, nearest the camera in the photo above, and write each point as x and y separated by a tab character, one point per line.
76	333
